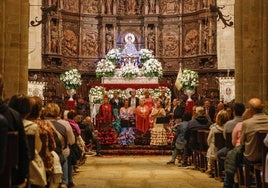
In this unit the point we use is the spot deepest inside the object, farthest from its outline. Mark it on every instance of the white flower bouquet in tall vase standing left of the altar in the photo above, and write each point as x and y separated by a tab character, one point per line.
71	79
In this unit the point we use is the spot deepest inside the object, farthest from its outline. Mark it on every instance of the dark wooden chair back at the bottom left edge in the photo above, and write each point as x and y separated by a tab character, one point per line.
11	159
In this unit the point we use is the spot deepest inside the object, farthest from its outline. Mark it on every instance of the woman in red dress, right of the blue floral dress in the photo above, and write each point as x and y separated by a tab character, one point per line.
142	117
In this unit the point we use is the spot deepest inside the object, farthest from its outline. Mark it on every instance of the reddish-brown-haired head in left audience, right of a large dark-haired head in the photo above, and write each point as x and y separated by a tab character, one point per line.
37	105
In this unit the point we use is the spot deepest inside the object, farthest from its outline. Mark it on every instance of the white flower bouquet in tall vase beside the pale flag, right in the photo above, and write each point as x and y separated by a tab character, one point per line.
189	79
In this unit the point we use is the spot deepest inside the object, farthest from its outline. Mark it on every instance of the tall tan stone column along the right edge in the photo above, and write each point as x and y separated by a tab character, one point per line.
251	50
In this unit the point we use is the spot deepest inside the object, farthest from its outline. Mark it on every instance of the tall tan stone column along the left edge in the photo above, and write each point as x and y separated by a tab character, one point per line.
14	17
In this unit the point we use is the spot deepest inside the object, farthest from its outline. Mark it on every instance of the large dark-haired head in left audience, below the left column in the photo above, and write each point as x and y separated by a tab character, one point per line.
21	104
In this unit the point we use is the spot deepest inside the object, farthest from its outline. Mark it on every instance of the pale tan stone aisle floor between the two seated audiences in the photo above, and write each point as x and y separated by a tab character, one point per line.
139	172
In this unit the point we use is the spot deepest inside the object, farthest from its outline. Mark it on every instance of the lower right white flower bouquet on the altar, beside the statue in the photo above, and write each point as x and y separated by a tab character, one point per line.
152	68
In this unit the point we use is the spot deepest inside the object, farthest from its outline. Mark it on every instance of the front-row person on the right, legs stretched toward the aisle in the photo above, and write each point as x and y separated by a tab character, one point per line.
179	136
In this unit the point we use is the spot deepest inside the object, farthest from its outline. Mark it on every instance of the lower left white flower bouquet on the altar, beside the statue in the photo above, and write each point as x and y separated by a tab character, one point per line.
105	68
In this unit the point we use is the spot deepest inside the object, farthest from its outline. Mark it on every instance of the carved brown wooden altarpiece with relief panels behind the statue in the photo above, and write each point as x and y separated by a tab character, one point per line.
81	32
